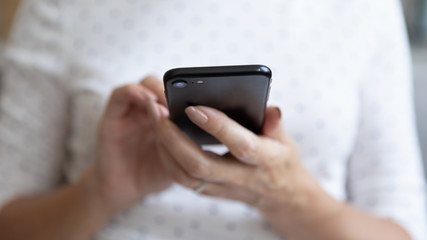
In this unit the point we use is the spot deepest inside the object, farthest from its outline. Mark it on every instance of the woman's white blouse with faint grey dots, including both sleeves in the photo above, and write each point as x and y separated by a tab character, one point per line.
341	75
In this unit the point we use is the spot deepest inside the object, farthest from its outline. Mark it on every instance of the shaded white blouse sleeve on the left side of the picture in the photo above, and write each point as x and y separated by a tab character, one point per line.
33	102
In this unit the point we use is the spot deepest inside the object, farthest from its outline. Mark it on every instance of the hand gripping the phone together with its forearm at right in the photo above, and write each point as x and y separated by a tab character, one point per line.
266	172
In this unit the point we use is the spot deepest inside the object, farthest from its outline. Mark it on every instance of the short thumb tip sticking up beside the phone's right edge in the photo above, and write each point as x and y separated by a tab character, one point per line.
273	127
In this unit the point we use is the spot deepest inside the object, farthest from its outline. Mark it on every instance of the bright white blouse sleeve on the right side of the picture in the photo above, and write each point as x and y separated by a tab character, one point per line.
385	173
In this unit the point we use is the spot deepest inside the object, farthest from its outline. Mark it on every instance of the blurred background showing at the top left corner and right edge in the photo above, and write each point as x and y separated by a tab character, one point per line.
416	19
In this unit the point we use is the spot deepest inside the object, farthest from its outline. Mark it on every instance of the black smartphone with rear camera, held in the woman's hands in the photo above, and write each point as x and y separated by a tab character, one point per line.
241	92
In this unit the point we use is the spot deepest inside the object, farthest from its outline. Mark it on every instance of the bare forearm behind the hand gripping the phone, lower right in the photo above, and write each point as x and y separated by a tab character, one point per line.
321	217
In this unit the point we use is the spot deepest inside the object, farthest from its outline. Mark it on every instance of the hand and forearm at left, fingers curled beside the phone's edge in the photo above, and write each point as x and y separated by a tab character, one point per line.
126	171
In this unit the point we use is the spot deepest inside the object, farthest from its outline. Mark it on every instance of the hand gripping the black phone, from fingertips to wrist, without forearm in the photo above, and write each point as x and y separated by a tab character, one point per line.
264	171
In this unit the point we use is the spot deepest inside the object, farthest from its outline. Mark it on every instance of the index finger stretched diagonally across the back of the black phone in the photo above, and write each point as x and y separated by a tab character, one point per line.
241	142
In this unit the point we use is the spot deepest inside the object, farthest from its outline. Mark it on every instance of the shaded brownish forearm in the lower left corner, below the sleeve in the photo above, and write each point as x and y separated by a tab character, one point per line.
68	213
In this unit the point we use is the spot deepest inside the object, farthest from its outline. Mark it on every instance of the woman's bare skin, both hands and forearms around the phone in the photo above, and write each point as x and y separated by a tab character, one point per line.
141	152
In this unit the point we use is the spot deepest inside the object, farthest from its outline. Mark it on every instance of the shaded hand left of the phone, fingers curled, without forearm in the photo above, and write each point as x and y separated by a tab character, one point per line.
128	167
